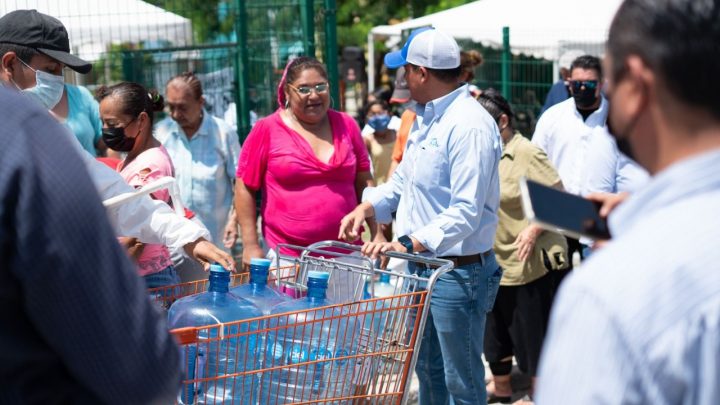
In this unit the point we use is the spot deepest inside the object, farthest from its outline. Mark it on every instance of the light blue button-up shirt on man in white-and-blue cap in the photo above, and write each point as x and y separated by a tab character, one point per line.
446	190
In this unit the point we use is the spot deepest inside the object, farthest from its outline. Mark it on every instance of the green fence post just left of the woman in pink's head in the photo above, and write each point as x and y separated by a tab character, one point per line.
241	74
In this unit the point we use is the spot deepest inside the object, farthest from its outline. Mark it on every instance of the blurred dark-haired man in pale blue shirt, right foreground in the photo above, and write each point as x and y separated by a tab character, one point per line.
640	324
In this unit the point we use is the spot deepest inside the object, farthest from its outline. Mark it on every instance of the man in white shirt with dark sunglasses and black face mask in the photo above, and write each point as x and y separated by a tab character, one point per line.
566	131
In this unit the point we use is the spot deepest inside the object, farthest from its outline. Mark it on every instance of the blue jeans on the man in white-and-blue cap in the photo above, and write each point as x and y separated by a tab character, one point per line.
449	364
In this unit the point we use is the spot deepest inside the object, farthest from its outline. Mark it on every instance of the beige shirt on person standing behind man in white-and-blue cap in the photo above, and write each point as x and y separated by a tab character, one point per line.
522	158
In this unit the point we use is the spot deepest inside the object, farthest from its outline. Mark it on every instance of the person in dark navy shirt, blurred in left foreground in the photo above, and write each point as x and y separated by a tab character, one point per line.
77	326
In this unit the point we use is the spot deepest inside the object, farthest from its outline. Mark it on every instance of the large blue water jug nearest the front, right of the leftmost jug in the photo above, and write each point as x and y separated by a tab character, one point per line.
328	341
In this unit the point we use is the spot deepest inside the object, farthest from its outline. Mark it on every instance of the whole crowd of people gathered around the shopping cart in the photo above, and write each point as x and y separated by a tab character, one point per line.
431	166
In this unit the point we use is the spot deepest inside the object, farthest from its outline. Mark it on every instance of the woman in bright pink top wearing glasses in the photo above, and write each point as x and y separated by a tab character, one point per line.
308	162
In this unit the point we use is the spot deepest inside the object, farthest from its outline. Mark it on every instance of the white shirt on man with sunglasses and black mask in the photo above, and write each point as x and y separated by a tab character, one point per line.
566	138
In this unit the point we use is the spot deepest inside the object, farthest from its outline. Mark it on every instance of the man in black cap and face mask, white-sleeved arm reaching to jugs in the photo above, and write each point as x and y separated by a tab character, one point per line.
34	49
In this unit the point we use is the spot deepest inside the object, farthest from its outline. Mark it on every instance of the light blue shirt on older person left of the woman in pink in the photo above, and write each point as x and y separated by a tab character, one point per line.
204	168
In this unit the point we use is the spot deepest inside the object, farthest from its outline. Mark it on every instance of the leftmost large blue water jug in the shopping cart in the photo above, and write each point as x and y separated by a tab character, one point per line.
216	358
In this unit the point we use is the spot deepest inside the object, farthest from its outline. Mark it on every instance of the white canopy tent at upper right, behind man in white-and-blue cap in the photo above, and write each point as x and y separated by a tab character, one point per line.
542	28
